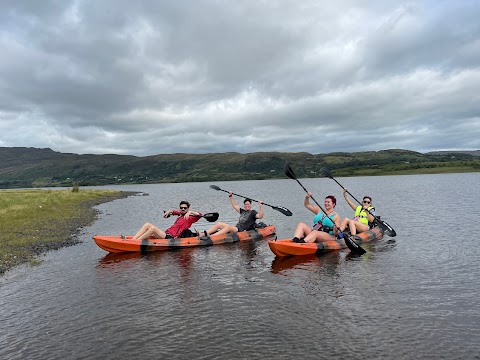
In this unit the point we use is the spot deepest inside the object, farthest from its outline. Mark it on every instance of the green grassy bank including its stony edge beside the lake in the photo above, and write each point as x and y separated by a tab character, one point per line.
35	221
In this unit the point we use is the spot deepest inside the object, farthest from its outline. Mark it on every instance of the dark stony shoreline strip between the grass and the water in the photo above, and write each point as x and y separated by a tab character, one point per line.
69	233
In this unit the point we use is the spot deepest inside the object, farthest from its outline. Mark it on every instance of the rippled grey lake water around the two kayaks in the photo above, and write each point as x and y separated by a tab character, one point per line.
415	296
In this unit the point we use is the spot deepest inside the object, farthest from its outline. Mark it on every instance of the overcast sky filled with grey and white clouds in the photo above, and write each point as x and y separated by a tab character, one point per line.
159	77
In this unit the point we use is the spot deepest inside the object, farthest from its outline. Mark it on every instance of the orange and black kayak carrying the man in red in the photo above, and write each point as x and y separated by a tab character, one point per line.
117	244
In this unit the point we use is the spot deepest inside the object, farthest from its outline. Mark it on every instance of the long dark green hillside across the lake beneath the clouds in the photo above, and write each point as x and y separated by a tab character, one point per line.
32	167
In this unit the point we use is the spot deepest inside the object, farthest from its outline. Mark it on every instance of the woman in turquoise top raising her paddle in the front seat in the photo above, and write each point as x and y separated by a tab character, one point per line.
325	226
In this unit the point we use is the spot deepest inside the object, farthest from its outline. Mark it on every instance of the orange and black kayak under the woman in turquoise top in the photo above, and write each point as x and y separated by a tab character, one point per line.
287	247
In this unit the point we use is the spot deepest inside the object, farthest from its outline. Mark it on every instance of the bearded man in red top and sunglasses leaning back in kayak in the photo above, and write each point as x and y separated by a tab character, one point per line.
181	226
